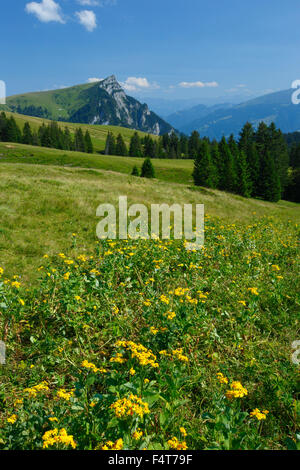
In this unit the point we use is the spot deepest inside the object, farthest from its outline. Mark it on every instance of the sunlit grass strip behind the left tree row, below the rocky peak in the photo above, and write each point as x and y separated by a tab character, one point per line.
98	133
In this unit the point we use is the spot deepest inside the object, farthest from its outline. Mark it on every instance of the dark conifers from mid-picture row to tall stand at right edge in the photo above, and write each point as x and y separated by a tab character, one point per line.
258	164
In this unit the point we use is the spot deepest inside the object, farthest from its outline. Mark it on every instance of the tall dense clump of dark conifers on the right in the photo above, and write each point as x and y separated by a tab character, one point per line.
256	165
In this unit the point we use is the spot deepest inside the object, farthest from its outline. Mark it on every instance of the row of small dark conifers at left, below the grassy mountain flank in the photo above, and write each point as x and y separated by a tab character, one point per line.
50	135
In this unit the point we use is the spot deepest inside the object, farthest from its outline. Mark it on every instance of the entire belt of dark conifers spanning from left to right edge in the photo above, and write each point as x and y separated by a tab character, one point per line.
262	163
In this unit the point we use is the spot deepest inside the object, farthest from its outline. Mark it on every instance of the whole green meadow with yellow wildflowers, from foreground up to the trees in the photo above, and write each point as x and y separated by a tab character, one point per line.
140	344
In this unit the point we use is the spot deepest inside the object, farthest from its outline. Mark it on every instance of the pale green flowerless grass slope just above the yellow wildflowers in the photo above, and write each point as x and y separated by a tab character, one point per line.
41	206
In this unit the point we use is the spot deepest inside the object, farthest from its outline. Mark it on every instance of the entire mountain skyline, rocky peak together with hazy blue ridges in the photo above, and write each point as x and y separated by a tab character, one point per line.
105	102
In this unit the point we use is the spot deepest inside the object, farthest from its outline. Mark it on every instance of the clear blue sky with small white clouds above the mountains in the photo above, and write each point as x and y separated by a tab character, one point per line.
157	48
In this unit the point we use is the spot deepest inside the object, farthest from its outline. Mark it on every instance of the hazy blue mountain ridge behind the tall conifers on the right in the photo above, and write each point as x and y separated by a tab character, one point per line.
216	121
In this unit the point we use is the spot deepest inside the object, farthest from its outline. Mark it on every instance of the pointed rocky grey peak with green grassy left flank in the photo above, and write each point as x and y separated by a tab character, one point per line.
103	102
